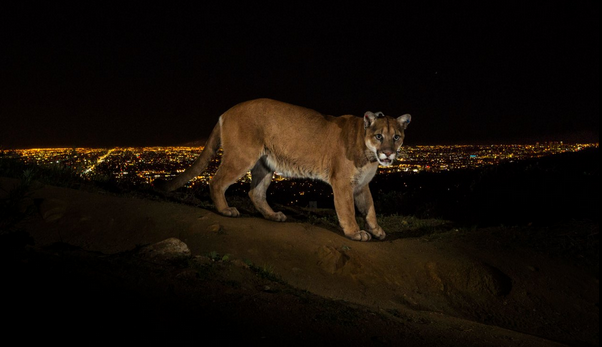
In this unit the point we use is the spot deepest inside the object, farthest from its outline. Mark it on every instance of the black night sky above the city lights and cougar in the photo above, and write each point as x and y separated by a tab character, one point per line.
108	74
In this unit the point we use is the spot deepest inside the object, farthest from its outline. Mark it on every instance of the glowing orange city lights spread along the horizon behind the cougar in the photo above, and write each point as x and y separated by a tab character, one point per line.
142	165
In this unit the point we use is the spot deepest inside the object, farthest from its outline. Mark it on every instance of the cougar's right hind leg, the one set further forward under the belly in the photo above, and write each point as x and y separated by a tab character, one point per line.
261	177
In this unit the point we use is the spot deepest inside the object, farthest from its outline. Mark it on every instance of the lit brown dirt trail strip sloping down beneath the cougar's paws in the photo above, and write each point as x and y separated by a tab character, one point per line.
453	282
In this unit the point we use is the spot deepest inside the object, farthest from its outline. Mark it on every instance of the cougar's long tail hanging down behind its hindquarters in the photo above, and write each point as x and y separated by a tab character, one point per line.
199	165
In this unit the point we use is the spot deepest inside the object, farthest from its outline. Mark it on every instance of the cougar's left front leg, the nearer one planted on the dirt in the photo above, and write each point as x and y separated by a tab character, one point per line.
343	203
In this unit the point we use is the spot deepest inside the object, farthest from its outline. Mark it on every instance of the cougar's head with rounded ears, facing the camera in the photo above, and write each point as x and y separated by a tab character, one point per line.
384	135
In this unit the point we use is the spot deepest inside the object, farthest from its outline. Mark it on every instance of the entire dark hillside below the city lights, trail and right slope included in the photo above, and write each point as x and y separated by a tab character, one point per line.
532	279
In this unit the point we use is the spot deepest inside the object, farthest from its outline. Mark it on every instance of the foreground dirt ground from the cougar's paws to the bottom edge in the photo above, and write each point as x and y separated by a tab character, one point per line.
78	270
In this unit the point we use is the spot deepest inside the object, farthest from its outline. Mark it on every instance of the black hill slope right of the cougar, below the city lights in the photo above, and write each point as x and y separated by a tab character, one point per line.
545	191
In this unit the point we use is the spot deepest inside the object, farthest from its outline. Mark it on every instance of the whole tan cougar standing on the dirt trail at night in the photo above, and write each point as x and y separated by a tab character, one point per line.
265	136
